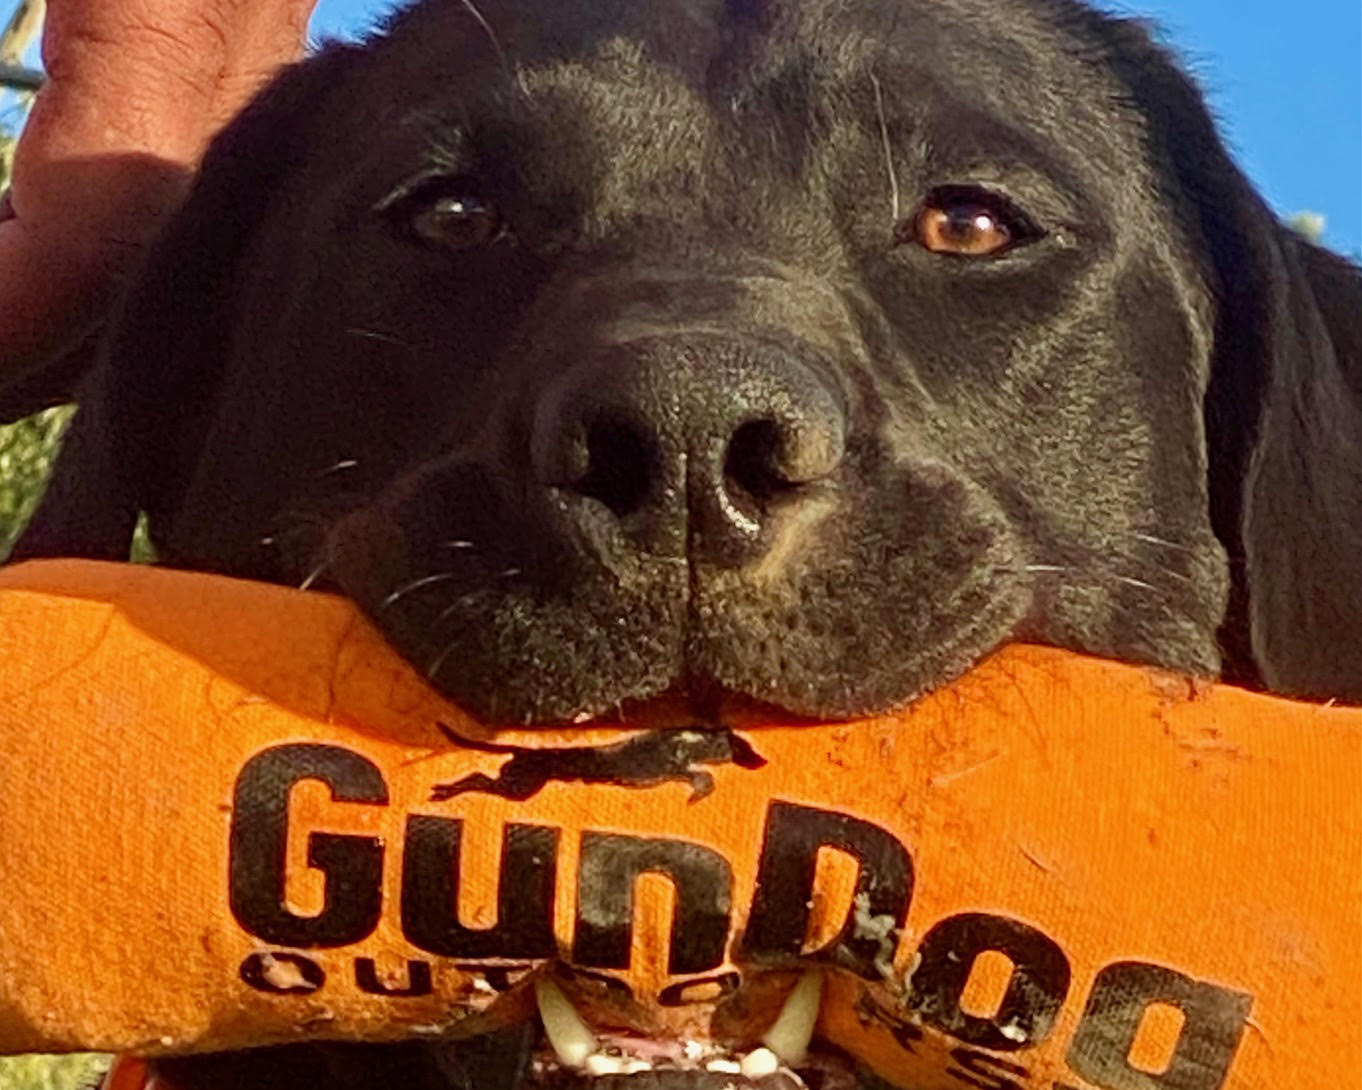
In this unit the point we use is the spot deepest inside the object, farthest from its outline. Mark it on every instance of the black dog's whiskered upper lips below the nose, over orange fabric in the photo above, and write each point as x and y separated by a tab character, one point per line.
528	627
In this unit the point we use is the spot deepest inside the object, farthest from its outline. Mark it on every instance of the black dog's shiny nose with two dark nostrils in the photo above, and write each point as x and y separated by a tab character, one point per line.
693	448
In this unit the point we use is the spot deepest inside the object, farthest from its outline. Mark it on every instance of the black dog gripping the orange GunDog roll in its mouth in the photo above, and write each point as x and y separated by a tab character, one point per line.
797	351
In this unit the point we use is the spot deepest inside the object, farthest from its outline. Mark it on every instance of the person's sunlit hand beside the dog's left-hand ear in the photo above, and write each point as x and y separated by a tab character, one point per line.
136	92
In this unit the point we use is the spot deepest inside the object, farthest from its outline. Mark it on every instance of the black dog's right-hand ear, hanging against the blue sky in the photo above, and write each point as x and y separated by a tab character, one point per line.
1284	407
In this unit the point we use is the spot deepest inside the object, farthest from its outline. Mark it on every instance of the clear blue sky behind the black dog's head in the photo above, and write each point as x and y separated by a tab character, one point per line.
1285	80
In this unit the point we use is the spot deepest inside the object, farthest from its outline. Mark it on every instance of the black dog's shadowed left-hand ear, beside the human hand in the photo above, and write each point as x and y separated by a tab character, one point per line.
146	407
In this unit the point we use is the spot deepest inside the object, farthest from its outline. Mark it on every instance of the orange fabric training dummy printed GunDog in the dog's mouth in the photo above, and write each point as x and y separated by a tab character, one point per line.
231	817
